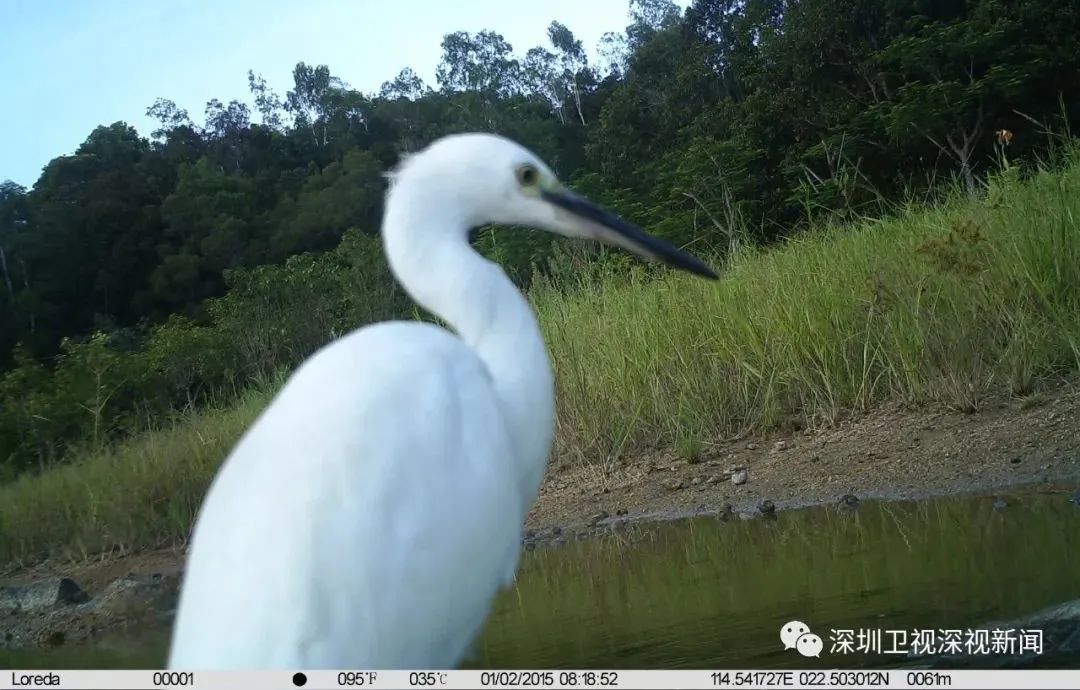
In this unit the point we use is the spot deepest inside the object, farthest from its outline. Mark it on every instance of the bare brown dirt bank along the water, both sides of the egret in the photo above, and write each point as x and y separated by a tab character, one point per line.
889	454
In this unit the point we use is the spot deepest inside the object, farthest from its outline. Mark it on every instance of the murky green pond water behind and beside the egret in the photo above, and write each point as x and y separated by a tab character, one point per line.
708	594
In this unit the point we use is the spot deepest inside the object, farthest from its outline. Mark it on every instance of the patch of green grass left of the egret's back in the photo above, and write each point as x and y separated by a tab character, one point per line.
143	493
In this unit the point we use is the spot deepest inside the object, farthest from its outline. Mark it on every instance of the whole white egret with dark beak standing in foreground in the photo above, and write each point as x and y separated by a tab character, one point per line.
375	509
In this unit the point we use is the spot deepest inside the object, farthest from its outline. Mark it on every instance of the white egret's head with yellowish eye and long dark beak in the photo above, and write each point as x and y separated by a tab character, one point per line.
492	180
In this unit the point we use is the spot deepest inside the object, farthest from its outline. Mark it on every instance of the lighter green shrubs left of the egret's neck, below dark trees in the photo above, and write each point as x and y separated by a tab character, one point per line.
271	319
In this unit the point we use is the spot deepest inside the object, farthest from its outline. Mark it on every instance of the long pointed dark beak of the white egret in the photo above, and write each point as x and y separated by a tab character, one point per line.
603	225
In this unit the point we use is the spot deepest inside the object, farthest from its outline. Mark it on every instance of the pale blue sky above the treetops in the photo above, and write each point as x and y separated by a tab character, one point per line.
71	65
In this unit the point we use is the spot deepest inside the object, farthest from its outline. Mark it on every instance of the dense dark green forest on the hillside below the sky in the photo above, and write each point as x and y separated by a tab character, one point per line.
142	276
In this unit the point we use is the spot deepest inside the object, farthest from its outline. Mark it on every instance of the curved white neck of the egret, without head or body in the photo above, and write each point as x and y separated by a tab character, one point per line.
430	255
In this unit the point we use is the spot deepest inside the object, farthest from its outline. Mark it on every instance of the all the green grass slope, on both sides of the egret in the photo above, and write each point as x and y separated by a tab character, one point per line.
948	304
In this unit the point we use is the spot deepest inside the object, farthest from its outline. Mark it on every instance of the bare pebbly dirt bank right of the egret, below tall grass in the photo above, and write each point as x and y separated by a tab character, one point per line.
889	454
